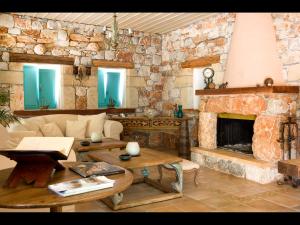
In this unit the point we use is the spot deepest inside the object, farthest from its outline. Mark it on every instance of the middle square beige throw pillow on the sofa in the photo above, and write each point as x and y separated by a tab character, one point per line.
76	128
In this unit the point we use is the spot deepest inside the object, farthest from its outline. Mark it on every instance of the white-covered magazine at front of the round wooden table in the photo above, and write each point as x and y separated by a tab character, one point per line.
82	185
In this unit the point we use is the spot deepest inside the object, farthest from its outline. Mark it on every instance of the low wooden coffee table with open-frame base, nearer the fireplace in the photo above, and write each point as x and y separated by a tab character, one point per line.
148	157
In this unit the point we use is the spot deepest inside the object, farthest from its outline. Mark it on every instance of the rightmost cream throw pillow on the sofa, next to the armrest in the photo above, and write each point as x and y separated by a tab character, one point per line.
95	123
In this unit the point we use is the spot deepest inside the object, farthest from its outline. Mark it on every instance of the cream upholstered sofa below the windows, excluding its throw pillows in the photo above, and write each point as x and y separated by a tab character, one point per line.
12	135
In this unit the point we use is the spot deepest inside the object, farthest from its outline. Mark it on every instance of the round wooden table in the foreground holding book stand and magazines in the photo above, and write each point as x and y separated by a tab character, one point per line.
25	196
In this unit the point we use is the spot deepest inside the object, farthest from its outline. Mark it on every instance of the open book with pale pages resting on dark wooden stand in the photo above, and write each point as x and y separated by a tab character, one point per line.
59	147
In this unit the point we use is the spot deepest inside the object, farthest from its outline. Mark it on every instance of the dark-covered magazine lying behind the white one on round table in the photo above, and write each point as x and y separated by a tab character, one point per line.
86	169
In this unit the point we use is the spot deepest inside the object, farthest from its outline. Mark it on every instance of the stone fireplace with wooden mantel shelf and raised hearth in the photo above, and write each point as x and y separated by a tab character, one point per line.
250	116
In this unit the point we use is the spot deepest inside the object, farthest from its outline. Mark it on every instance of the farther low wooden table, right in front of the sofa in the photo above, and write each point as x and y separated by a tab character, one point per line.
107	143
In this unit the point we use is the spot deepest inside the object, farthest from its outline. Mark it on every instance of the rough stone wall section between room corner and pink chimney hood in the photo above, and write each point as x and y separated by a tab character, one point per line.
211	36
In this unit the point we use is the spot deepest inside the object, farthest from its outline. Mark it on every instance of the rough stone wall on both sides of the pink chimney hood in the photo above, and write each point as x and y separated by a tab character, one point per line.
212	36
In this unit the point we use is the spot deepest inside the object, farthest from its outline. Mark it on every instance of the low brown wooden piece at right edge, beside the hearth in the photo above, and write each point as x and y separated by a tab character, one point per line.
291	170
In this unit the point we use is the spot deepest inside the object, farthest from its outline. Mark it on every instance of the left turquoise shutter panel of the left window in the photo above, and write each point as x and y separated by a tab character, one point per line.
31	93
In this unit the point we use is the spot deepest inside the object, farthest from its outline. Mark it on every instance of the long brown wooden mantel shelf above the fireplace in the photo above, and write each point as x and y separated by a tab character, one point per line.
250	90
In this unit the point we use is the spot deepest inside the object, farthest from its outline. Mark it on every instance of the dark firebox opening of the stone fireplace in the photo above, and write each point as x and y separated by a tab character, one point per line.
235	132
